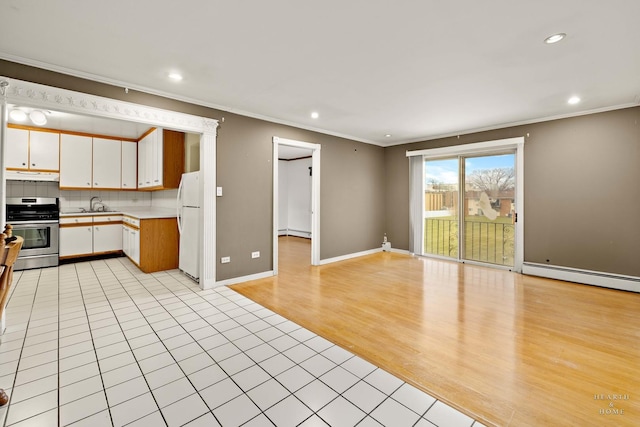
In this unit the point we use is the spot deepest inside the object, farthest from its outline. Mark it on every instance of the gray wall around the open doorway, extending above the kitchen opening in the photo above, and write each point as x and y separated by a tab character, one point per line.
352	178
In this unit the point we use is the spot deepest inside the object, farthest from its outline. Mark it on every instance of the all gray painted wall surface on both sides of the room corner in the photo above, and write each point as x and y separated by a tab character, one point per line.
581	185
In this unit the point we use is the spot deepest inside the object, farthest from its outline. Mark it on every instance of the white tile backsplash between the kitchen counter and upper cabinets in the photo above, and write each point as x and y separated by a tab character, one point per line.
73	199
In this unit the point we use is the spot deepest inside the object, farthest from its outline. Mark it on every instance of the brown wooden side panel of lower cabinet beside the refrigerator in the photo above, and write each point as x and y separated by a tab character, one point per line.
159	244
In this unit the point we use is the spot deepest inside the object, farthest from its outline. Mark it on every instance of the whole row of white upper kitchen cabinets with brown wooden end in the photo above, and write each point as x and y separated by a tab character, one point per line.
155	162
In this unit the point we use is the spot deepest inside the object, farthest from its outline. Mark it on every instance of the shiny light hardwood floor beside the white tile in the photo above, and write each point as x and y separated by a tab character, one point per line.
506	349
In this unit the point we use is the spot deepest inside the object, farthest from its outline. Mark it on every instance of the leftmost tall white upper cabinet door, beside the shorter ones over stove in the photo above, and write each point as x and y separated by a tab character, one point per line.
76	161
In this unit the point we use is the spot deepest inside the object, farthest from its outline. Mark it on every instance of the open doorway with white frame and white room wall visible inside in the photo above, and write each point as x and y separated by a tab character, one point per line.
305	214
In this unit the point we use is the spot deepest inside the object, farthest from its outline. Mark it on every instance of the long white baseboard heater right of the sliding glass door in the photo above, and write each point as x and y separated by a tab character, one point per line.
587	277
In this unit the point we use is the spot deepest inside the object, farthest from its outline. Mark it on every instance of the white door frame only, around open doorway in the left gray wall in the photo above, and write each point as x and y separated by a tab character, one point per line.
315	197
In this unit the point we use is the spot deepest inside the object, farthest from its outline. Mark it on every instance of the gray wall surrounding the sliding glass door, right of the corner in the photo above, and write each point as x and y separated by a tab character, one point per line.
582	196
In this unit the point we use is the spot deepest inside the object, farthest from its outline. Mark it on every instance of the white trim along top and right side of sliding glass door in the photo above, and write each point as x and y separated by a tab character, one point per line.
489	147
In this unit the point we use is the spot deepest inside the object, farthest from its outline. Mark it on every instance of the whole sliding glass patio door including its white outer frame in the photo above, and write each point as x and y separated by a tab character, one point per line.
466	203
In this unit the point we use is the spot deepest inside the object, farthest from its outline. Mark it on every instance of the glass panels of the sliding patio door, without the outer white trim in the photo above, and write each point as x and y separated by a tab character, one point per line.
479	223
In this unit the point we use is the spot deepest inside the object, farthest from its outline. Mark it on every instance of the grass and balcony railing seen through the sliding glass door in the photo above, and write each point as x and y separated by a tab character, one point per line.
485	240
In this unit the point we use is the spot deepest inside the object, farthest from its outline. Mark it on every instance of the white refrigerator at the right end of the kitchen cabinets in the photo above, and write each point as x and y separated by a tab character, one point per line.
189	224
